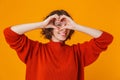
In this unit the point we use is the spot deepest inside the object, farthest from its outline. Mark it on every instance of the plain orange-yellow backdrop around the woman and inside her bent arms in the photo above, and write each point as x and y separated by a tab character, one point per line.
100	14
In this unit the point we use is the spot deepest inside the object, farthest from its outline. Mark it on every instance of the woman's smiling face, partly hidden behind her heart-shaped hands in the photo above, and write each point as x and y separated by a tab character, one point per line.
60	35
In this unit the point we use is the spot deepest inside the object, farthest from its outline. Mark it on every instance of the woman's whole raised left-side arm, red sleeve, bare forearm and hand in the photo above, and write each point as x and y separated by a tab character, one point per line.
22	44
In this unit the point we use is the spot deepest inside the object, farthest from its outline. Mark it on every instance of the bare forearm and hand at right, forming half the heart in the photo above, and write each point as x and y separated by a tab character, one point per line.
74	26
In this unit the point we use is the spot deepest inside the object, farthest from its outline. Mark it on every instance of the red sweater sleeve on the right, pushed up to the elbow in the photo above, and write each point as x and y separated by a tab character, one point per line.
89	51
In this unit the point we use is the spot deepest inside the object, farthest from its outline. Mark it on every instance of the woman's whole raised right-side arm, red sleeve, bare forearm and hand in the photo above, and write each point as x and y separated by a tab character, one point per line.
89	50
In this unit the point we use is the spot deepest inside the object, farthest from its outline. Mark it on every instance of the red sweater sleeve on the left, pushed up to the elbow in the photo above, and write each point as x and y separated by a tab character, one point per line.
20	43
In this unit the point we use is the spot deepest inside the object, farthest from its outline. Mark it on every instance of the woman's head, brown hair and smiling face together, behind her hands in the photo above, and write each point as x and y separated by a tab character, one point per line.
57	35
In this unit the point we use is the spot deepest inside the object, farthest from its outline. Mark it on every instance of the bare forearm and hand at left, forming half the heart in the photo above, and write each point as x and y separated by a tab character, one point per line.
22	28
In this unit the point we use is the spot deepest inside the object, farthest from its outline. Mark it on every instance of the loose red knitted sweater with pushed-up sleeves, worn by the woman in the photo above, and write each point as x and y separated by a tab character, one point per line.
55	60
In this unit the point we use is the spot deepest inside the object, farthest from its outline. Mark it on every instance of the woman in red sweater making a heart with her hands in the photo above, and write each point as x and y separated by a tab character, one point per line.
55	60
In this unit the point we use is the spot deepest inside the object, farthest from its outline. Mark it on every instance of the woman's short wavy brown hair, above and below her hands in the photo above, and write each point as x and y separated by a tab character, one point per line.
48	32
